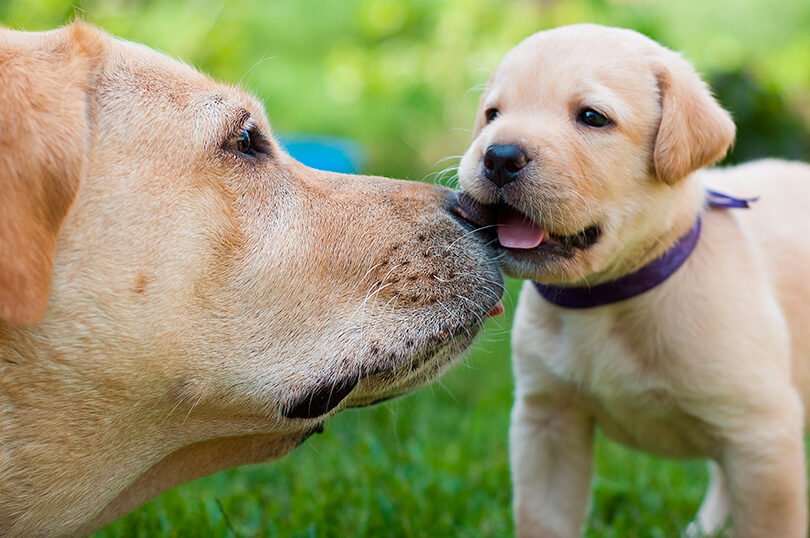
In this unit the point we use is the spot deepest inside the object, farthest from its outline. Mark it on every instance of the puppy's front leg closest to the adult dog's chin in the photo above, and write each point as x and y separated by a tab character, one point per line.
551	445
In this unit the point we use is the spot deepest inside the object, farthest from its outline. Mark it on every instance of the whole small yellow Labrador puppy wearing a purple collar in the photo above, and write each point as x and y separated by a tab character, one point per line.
590	147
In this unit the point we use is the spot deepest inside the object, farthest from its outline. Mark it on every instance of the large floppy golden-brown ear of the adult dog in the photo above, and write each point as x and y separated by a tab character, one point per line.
44	140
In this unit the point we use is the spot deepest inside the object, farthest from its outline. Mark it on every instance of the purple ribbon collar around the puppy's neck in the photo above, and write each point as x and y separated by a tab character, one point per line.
644	279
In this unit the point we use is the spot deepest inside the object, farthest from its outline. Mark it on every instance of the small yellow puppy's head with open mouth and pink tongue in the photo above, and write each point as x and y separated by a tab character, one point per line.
584	140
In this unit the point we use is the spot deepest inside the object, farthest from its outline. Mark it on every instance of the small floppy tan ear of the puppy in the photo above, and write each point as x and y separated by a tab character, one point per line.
695	131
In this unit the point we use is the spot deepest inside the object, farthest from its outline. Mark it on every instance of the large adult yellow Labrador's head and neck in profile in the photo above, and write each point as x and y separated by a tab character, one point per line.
179	296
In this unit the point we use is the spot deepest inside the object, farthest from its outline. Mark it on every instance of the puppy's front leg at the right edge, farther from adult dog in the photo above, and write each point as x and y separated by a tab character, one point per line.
766	473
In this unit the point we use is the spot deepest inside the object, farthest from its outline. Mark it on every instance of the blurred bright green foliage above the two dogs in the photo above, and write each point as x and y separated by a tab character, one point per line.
403	77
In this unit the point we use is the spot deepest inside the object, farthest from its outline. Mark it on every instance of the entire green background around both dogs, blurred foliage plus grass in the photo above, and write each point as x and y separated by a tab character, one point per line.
403	78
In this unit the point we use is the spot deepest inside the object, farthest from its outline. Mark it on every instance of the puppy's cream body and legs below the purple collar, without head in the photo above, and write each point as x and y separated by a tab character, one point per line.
712	363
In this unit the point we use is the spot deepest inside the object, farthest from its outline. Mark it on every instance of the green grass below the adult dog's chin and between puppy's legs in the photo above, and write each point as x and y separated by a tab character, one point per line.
433	464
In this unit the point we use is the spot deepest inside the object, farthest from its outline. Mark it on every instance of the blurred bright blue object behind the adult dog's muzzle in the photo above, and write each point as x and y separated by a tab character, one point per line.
324	152
